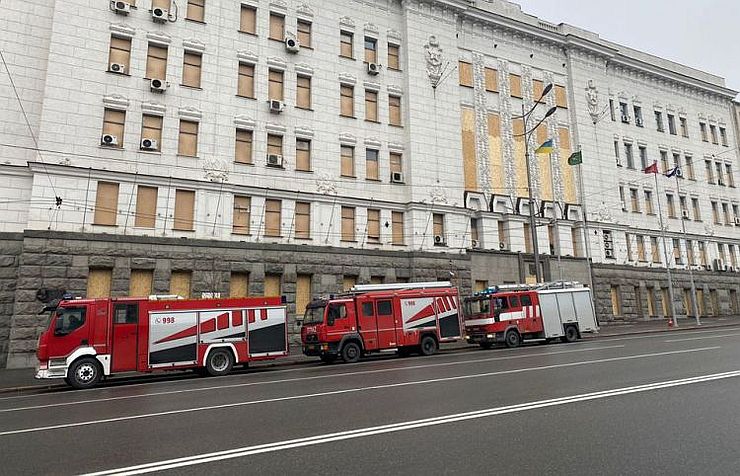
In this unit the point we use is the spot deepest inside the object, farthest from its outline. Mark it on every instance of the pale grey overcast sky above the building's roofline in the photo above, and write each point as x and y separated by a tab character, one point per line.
701	34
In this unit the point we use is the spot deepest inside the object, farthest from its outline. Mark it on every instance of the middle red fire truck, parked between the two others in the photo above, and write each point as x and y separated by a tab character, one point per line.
408	317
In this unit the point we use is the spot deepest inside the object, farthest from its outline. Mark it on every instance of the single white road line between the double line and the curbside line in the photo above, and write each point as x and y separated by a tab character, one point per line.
349	390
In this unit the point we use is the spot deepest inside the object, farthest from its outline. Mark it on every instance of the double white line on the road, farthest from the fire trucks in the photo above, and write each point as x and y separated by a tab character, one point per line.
404	426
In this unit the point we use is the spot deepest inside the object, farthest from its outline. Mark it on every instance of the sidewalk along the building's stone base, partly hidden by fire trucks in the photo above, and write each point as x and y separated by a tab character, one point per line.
20	380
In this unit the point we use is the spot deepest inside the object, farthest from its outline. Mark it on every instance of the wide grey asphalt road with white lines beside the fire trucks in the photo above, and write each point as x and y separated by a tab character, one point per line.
649	404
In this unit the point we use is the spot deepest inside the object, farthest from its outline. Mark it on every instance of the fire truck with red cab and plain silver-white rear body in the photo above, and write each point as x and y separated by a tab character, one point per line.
513	313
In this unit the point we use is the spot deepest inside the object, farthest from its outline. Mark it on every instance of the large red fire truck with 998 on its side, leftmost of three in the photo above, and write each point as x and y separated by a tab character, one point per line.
89	339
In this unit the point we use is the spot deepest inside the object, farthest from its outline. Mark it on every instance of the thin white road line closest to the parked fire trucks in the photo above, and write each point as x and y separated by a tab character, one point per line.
300	379
